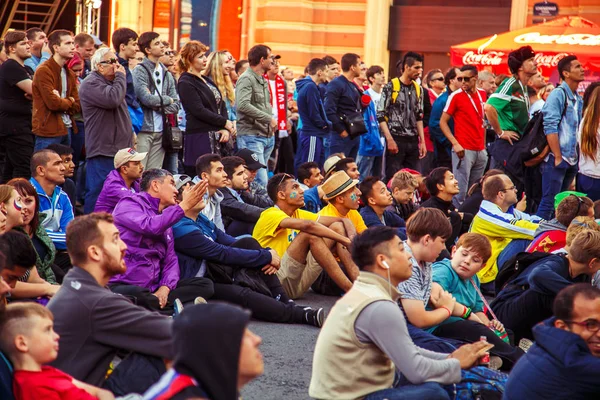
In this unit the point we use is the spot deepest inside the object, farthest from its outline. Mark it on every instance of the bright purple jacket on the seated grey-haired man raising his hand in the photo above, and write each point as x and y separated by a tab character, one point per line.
151	260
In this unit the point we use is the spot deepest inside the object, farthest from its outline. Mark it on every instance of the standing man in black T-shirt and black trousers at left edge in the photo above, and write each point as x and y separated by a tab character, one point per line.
16	138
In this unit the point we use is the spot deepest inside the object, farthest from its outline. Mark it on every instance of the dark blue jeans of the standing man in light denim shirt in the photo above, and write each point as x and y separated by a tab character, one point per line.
554	180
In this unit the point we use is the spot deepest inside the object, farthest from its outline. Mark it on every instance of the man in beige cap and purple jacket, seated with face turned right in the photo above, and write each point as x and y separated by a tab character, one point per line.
123	181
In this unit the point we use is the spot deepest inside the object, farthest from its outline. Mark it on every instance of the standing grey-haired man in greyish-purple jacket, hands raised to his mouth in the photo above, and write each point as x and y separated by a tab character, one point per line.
107	122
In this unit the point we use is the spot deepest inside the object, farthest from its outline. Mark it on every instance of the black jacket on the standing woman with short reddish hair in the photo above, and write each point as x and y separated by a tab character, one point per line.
200	105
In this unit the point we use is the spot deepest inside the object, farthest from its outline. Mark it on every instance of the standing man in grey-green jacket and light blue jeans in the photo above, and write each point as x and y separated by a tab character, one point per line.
256	125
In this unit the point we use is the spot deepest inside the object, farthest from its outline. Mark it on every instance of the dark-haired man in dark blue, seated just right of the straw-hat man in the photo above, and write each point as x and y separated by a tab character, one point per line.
376	198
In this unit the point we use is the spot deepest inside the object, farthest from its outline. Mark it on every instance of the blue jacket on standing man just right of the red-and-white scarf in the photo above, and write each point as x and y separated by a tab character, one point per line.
311	109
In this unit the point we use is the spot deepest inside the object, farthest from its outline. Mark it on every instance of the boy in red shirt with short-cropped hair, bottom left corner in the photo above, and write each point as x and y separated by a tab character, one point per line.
28	339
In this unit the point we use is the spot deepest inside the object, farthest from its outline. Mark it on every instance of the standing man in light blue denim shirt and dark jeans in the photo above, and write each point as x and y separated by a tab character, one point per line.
562	116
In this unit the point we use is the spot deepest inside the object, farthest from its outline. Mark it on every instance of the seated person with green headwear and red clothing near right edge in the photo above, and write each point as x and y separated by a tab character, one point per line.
551	235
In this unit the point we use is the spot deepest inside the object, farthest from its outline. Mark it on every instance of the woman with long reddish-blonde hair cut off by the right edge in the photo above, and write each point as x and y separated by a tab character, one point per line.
588	178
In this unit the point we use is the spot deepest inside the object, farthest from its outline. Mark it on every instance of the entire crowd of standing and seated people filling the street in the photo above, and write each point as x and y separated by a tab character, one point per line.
153	201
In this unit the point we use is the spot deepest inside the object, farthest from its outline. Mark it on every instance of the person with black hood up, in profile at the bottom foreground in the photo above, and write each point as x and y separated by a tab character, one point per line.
219	365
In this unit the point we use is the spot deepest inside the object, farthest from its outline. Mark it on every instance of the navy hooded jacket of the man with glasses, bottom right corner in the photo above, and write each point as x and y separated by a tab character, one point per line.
558	366
